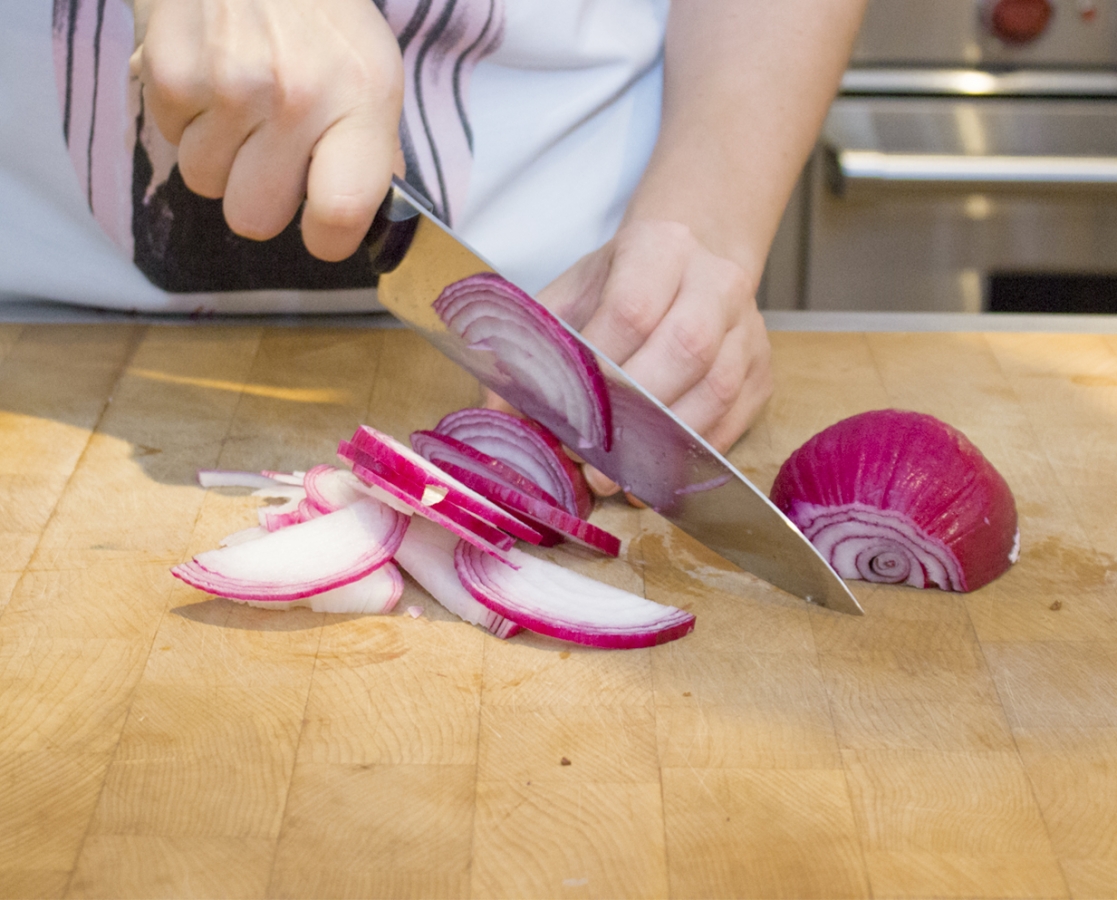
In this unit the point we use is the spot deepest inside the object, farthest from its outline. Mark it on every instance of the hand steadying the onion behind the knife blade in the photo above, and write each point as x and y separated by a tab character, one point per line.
680	320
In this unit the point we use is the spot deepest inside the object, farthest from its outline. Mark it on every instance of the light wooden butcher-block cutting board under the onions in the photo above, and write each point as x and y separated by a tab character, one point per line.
159	743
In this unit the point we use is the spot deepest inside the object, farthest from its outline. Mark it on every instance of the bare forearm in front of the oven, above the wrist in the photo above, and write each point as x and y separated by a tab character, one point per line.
747	89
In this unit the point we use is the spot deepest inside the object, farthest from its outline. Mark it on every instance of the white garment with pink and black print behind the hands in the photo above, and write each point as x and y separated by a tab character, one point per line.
562	110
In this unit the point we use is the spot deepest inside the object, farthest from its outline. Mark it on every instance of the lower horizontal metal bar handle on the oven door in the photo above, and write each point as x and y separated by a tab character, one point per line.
847	169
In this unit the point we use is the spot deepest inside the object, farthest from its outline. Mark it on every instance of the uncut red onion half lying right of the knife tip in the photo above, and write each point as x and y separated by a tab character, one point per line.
901	497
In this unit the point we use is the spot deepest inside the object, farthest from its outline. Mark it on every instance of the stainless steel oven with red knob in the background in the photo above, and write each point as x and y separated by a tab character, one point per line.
969	165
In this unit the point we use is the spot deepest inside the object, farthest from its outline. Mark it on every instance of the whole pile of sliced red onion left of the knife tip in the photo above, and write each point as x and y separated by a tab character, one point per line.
450	511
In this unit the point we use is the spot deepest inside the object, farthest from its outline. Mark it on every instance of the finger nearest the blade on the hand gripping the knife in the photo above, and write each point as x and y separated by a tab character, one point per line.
350	175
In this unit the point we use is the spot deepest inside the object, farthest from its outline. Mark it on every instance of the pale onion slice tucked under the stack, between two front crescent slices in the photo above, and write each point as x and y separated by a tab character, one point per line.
427	554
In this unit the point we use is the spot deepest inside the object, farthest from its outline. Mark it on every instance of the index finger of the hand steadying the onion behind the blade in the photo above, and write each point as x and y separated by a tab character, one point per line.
642	286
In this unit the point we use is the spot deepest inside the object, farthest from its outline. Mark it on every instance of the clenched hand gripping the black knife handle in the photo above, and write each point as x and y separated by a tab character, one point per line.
275	101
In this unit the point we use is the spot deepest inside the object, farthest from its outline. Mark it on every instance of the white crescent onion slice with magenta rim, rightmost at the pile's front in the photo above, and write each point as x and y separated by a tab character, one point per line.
551	600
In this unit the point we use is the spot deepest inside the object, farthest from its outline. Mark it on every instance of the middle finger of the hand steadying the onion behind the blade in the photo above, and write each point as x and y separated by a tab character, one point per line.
685	346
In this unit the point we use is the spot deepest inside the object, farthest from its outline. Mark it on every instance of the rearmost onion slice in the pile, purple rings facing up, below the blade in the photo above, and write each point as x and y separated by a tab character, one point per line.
529	448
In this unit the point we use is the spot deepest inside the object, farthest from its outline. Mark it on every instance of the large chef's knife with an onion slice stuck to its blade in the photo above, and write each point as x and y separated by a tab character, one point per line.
654	455
